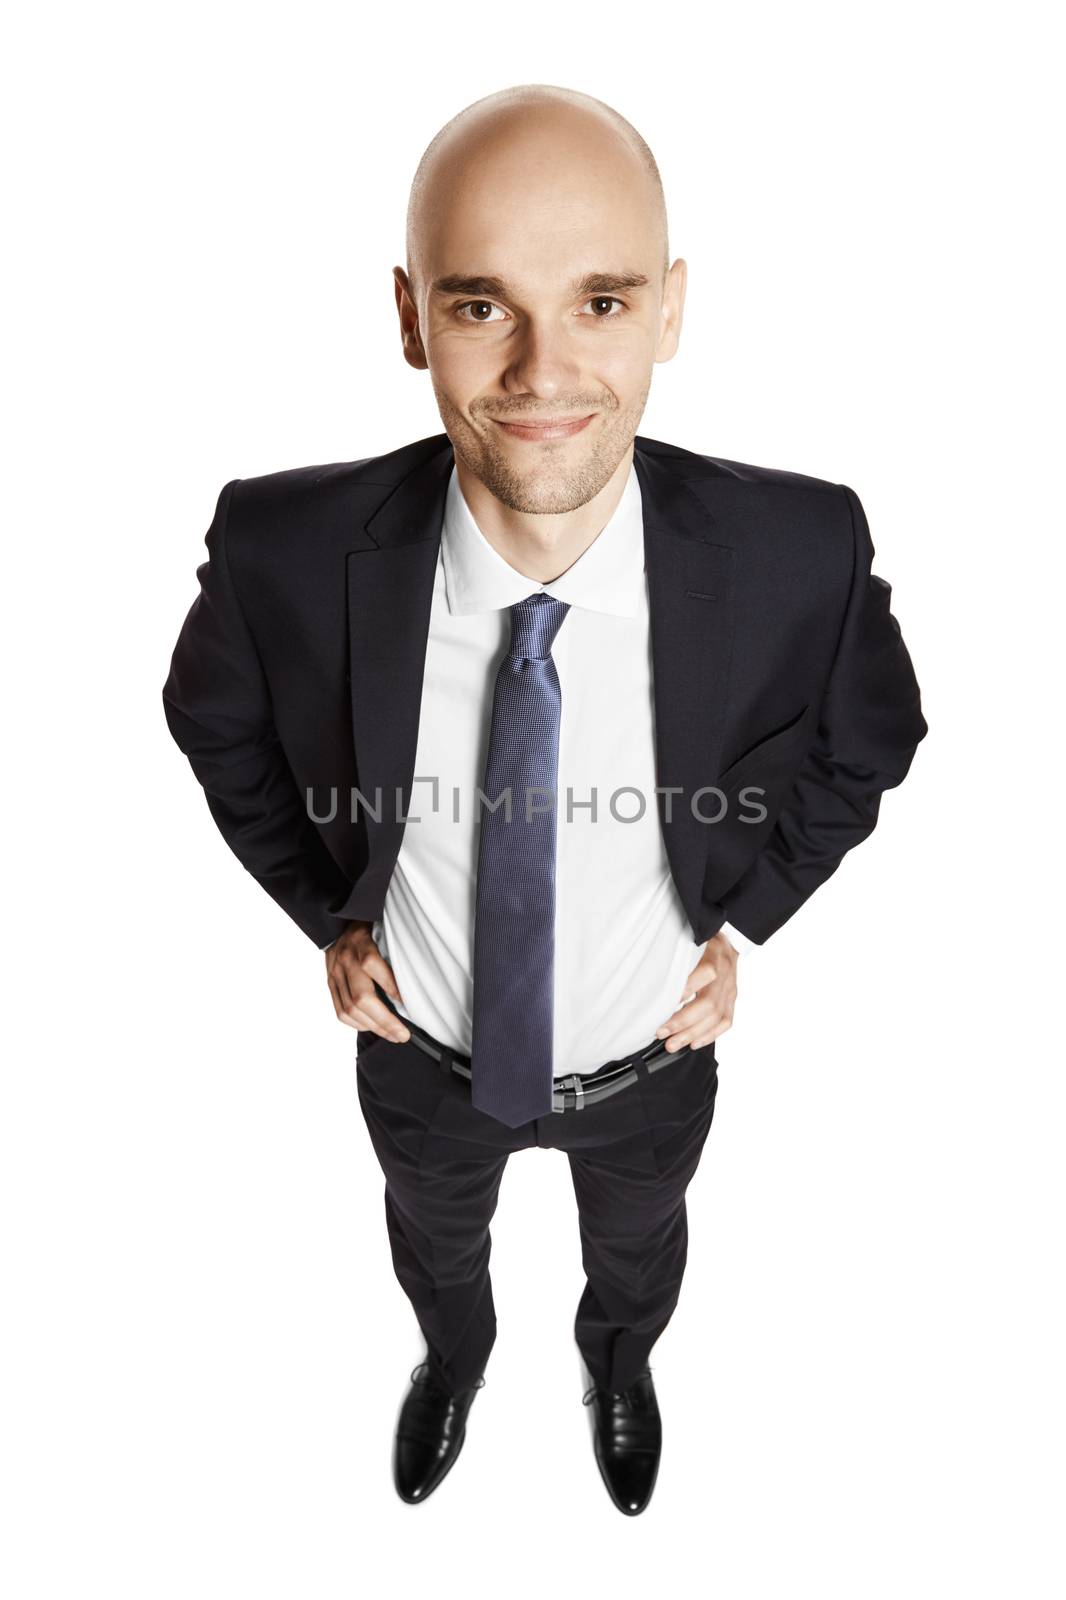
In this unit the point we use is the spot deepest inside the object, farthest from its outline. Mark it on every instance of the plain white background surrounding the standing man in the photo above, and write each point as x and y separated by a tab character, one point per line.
206	1346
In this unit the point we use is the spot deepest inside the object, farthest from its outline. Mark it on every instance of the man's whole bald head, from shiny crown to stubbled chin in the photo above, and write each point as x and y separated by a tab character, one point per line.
540	295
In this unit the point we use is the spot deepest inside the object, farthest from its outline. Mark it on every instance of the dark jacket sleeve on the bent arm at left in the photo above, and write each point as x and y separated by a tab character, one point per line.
218	708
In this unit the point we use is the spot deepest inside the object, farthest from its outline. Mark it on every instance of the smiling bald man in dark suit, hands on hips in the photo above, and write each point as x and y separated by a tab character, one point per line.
516	721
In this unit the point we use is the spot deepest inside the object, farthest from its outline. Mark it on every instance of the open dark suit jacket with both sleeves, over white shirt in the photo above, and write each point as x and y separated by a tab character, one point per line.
297	678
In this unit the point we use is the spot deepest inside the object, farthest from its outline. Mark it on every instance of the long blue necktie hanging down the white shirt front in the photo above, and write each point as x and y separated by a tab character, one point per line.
515	921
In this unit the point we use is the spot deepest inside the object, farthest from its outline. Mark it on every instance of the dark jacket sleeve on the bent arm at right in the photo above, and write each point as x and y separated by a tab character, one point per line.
870	727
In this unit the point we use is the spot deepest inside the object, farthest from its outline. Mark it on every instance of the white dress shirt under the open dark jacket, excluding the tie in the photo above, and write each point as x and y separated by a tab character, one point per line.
623	943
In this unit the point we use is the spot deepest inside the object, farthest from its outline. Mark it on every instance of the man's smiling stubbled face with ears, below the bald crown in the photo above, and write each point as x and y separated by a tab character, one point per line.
539	300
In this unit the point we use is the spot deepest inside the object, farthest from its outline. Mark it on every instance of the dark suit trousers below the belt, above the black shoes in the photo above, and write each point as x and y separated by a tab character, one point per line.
631	1159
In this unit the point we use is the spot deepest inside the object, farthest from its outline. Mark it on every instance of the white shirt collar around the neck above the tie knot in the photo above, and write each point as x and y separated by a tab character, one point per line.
609	577
